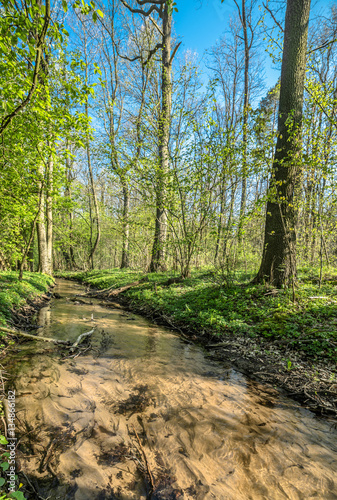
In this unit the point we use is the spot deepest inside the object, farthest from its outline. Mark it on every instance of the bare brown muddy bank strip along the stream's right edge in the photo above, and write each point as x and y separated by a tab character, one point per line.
313	384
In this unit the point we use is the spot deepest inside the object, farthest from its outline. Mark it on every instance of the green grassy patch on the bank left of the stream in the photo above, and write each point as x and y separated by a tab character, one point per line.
14	293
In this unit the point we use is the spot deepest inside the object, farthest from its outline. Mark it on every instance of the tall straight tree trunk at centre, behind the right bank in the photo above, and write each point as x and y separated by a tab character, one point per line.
158	249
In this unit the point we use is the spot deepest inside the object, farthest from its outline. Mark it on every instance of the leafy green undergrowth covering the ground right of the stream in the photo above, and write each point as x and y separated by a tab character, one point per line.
208	303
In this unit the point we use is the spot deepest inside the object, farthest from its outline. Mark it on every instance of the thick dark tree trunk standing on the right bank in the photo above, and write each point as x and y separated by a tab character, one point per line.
278	264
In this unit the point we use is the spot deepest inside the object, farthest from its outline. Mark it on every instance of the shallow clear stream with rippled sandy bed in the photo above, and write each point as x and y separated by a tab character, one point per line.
143	406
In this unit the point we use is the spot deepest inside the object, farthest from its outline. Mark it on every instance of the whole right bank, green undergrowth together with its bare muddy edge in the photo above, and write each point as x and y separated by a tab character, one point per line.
261	330
